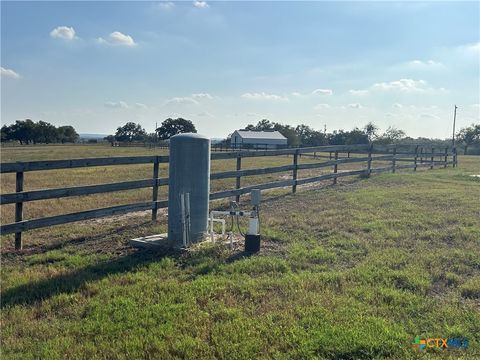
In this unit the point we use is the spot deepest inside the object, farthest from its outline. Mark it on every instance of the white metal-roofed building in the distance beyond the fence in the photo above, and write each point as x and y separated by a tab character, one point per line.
268	139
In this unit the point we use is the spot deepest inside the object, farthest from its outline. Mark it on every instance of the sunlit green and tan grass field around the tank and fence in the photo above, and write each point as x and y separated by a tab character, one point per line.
355	270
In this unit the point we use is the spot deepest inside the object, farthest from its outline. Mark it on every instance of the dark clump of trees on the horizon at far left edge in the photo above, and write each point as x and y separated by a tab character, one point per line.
41	132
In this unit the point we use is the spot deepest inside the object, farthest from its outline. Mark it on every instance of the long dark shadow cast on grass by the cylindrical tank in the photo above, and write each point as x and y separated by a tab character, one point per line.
73	281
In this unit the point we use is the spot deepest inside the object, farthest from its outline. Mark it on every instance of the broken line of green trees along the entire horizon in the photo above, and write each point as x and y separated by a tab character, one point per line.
30	132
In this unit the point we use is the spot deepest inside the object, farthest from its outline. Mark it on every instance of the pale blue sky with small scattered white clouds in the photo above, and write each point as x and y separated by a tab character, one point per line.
97	65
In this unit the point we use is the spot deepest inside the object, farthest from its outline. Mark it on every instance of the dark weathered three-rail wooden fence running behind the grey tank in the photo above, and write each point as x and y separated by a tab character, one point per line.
418	156
